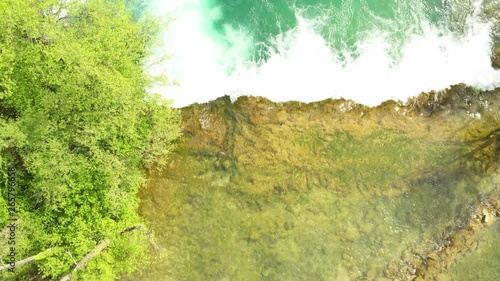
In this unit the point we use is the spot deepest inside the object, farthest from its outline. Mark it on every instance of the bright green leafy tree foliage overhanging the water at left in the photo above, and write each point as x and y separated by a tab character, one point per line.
79	128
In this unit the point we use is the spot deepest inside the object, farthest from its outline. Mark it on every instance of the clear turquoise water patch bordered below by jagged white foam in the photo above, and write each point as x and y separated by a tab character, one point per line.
343	24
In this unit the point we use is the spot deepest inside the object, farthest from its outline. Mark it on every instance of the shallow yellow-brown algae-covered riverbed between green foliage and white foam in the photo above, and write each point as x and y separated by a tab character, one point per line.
259	190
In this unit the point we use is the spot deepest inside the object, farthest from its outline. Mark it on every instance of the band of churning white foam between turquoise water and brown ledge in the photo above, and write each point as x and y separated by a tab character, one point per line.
303	68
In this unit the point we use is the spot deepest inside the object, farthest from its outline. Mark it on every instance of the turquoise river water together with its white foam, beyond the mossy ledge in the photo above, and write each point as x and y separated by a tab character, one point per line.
364	50
